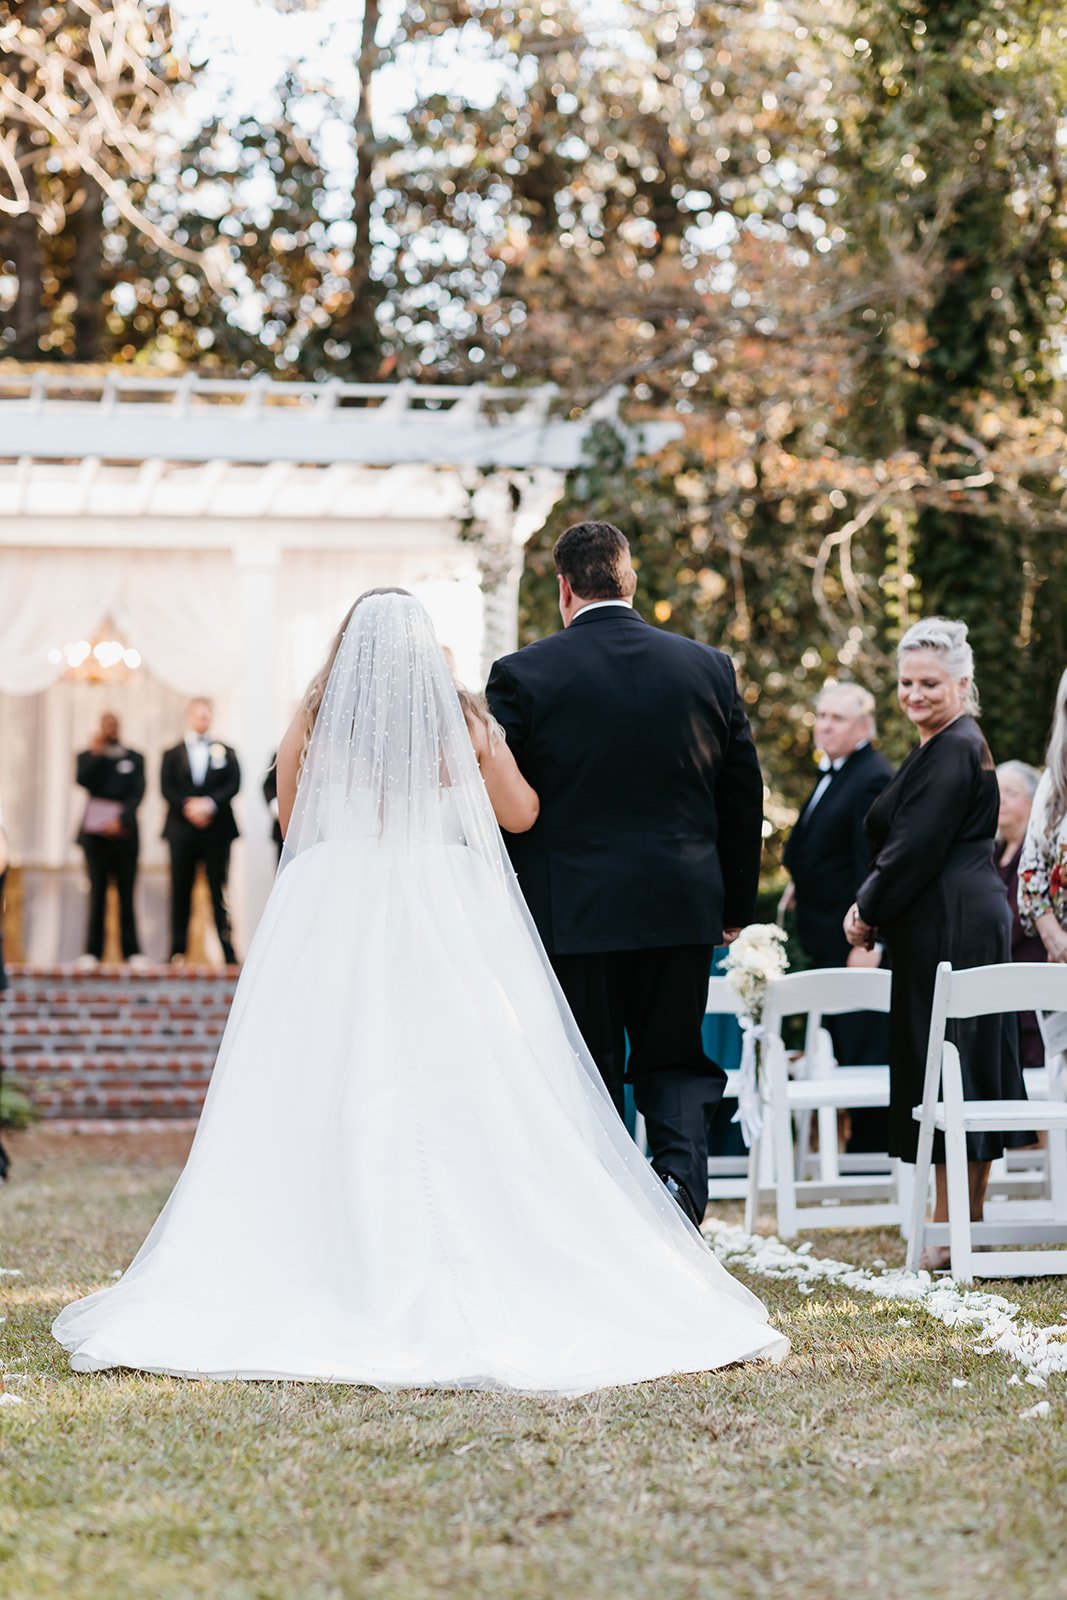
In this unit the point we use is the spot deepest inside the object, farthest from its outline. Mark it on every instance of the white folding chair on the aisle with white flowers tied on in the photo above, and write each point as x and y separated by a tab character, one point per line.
825	1087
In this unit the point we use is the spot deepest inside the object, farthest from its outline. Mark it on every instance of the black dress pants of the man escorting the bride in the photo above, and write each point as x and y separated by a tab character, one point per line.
658	1001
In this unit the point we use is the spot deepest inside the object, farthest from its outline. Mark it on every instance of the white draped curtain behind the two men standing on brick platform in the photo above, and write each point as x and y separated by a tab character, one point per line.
178	610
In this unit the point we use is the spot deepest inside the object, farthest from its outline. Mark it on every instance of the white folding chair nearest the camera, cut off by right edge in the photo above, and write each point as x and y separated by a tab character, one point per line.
986	991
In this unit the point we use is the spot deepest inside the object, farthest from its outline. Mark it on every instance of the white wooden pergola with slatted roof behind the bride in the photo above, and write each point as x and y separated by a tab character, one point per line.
257	484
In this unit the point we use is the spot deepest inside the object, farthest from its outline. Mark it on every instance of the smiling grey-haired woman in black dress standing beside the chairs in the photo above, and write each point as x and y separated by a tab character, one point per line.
935	895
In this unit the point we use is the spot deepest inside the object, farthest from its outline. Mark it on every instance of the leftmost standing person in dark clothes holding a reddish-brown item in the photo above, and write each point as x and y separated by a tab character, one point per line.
114	778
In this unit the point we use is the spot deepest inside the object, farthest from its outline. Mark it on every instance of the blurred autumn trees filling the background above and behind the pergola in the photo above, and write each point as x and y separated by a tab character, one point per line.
826	234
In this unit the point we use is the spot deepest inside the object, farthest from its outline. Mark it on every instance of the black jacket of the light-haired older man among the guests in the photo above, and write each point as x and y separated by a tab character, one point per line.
828	854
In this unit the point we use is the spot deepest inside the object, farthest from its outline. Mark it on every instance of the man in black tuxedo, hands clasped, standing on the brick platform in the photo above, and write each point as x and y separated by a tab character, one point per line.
199	780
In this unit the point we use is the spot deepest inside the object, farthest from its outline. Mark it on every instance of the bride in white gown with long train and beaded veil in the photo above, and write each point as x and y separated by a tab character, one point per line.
407	1170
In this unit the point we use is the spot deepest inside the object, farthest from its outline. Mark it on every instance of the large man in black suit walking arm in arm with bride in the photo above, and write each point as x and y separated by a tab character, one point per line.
647	850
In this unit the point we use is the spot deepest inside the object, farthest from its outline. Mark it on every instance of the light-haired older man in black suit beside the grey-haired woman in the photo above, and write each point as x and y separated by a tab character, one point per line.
828	857
